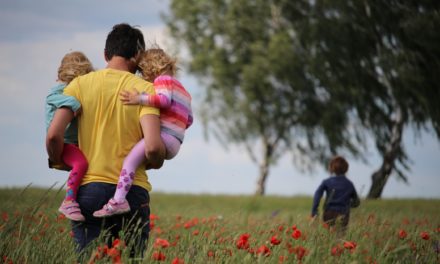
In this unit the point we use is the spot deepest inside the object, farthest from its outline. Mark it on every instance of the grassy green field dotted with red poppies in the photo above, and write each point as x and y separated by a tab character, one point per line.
228	229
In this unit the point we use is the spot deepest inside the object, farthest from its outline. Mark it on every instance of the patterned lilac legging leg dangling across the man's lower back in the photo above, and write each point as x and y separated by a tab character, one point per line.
131	163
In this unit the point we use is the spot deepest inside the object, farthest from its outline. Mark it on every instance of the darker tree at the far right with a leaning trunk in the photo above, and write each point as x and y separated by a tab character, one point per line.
388	51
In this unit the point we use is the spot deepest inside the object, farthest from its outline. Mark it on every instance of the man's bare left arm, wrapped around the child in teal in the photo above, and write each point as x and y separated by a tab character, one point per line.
55	134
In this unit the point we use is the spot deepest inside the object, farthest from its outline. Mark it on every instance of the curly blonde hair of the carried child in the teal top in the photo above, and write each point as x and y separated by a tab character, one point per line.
73	64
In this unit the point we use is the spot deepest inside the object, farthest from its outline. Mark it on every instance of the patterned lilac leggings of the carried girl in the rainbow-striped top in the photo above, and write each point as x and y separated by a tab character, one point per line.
136	157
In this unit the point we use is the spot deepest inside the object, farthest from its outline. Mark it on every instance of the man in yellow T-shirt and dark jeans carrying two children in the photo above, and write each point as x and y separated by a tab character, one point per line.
107	132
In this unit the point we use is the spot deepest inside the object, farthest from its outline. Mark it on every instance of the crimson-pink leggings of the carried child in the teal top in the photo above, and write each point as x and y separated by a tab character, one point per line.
74	158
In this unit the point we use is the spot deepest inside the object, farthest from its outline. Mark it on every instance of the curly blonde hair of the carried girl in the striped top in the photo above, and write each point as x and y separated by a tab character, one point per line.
155	62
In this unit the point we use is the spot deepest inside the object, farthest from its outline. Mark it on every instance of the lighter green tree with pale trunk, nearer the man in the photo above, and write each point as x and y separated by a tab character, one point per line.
260	93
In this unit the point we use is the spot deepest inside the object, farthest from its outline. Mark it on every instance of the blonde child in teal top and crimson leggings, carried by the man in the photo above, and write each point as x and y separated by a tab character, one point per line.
72	65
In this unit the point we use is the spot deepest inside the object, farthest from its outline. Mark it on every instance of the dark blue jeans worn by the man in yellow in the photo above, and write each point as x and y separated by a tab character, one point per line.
135	224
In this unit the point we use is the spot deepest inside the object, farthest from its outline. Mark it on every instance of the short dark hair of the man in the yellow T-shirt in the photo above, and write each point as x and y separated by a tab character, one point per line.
125	41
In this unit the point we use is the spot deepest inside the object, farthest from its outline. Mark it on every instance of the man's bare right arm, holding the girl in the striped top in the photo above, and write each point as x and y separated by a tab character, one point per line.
154	148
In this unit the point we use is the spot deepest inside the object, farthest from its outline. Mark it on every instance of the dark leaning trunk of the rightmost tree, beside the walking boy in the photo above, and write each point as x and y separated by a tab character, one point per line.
380	177
